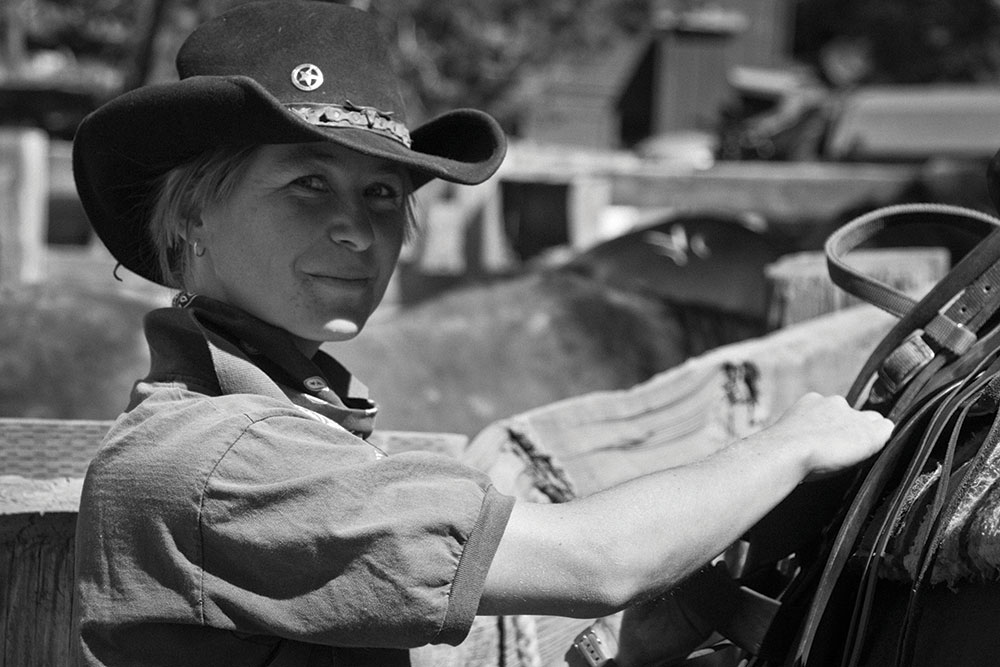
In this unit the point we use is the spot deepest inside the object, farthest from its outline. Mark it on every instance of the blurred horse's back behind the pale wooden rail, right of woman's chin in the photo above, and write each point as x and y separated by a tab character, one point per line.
609	319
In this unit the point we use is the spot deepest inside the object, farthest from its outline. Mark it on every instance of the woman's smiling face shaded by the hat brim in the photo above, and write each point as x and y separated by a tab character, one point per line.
307	241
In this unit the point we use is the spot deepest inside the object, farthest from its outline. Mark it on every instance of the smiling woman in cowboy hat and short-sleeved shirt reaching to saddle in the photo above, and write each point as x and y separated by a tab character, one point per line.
236	513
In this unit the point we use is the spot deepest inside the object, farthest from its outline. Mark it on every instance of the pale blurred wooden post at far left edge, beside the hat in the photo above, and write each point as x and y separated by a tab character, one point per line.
24	182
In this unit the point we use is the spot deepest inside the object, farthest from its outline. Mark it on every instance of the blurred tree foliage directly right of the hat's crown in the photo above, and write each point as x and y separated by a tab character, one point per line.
478	52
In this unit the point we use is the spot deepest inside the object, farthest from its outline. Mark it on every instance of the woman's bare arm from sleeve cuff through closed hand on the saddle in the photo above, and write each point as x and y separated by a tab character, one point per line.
596	555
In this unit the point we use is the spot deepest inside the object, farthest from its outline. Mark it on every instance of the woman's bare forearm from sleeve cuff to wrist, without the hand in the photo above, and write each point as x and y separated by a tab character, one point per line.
597	554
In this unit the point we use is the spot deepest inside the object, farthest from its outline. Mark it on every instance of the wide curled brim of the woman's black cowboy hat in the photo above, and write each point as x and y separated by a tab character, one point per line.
122	146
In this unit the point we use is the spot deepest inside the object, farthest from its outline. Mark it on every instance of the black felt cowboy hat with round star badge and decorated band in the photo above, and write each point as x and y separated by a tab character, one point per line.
279	71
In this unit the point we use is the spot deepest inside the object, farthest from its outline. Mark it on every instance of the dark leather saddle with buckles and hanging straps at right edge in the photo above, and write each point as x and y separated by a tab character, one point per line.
897	561
